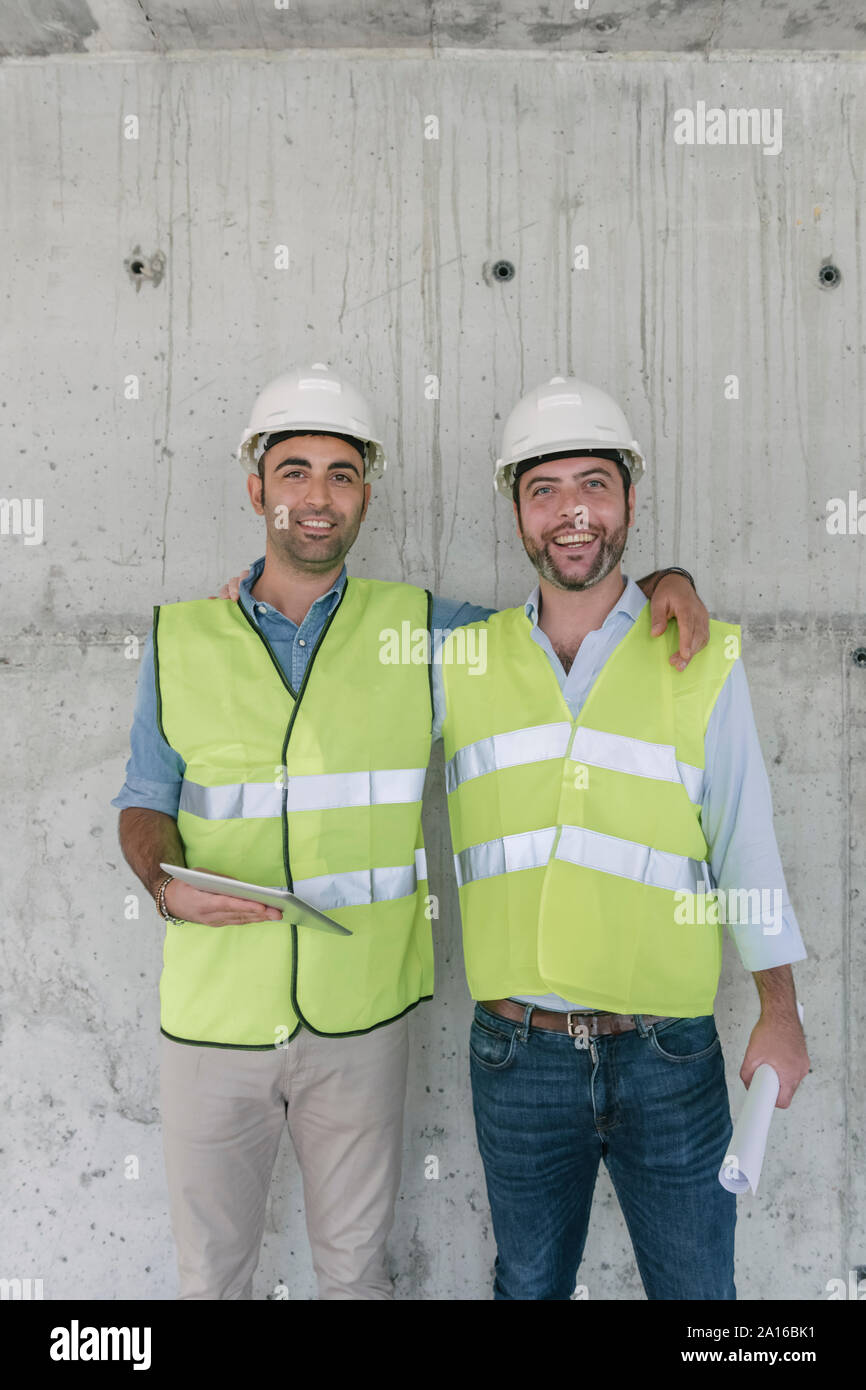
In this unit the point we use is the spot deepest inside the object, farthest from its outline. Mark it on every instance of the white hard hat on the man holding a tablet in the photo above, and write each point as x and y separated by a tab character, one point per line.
312	398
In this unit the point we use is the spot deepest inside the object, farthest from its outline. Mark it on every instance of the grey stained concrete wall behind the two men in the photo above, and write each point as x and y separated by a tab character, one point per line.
704	262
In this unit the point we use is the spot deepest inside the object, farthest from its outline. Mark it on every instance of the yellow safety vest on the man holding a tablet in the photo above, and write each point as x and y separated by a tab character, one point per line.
318	790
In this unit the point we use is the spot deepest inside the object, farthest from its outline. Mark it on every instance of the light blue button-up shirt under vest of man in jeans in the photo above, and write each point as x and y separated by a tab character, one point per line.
736	807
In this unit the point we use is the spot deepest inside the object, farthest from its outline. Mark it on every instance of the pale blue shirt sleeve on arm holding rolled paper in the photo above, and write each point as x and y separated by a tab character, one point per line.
737	818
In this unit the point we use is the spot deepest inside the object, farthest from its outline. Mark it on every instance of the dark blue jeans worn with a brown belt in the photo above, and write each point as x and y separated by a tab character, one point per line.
653	1103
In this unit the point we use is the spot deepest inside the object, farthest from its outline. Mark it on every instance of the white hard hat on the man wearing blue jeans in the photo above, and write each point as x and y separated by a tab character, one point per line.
565	415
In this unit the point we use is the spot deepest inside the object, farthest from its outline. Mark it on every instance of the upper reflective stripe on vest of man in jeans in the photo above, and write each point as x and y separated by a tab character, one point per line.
593	747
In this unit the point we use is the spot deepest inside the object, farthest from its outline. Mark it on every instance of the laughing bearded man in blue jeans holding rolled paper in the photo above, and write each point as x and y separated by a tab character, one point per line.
594	794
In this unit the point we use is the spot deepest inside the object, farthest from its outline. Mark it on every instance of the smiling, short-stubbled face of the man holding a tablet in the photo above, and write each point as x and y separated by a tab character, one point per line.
313	498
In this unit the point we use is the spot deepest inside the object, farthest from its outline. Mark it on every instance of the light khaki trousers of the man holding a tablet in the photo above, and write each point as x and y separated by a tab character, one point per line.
223	1117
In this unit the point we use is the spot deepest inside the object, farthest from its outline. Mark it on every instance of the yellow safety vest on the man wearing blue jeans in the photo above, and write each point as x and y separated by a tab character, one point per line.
576	840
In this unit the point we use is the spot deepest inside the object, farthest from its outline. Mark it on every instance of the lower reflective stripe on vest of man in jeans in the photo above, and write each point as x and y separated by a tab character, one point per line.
623	858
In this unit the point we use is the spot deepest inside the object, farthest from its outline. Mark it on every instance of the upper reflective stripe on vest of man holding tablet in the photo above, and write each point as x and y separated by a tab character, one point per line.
322	792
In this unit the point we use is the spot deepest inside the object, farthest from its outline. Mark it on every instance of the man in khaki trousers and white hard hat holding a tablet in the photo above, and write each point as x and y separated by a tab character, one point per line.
272	744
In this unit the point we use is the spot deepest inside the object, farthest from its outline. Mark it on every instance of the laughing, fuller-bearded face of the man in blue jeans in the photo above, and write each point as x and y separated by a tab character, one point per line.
573	521
